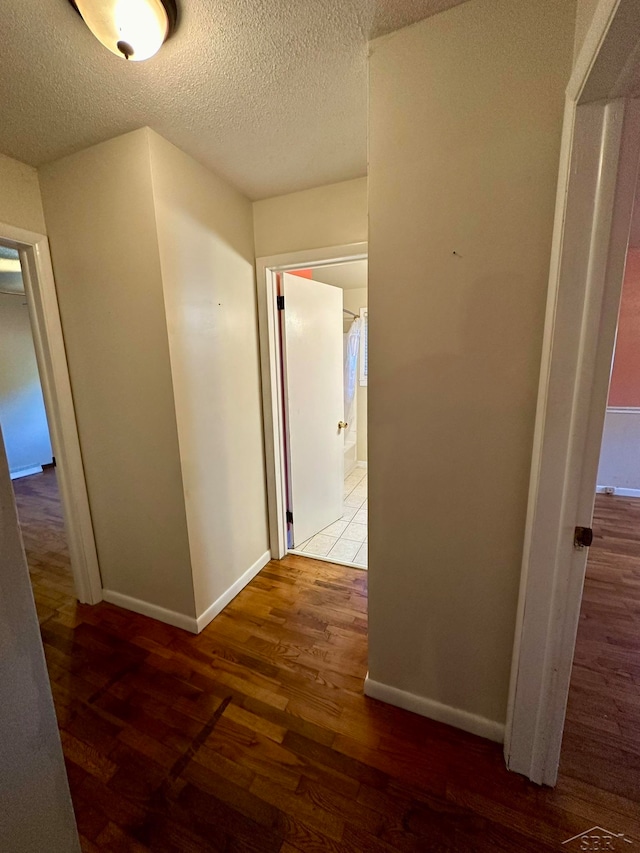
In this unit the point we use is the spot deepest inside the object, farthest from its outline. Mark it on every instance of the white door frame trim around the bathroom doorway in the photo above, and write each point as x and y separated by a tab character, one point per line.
271	372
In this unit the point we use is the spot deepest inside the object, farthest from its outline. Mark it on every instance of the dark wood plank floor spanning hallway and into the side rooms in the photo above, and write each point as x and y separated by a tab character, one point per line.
255	735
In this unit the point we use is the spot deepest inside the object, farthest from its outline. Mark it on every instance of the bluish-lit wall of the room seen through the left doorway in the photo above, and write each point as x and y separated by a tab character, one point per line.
22	414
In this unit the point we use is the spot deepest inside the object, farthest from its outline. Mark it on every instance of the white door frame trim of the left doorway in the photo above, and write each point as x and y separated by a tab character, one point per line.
44	315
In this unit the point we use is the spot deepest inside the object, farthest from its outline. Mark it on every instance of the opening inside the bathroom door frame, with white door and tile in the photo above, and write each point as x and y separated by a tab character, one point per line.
323	342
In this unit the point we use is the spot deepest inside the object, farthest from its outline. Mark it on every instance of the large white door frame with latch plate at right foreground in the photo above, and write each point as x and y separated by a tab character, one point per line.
588	254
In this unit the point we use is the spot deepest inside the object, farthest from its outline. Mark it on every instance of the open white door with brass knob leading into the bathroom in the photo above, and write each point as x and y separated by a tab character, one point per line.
313	355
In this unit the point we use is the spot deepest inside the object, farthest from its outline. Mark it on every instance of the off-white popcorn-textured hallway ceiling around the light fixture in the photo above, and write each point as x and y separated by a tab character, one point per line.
270	94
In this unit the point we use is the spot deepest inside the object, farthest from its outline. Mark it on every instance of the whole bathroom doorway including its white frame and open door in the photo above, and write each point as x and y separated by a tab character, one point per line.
314	348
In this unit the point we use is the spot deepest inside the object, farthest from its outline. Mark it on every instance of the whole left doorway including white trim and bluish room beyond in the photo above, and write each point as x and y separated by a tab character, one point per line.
37	416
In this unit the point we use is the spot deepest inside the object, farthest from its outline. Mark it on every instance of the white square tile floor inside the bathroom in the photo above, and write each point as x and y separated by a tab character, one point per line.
346	540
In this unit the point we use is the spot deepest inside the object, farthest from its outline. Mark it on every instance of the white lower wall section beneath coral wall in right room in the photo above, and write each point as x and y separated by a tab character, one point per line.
620	453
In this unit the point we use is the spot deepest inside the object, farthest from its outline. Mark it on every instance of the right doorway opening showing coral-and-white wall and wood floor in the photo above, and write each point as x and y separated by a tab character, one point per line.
601	738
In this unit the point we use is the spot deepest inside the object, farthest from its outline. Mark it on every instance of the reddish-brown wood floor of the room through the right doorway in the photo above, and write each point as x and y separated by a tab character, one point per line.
601	743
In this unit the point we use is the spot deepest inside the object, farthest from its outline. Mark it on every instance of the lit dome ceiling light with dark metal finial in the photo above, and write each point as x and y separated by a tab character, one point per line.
132	29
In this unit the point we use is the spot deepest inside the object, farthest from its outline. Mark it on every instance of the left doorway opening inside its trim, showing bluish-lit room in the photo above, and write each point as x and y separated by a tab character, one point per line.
28	446
